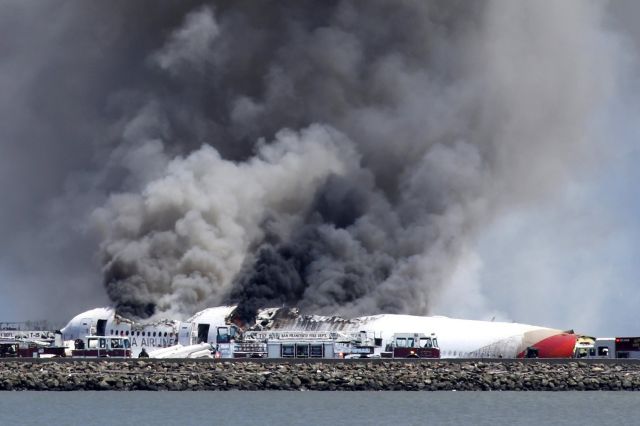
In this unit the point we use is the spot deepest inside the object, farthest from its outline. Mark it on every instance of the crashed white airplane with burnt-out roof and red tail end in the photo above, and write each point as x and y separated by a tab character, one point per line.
458	338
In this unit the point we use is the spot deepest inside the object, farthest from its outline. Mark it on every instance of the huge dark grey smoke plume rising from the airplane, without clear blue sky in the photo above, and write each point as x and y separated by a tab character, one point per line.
340	156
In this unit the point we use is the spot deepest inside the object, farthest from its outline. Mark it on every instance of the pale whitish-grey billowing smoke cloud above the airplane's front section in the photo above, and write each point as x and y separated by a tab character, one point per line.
182	240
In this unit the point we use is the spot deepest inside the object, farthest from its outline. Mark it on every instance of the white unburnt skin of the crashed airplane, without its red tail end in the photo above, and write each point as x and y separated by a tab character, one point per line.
457	338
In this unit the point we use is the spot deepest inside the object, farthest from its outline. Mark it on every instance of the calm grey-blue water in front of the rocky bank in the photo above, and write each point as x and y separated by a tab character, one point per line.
318	408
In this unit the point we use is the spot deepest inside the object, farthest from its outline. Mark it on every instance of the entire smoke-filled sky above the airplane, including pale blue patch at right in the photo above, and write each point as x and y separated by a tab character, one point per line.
347	158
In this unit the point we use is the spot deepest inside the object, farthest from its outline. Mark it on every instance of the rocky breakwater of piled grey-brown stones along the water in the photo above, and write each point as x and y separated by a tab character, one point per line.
348	375
